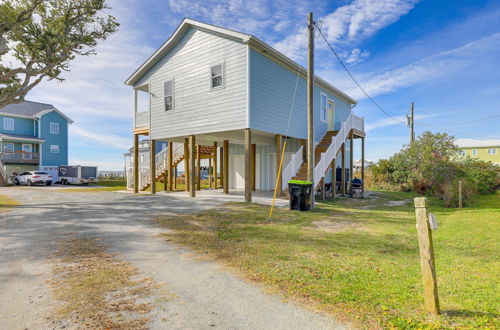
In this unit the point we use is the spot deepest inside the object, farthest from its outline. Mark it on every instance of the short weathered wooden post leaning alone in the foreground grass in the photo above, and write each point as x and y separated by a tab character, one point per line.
431	299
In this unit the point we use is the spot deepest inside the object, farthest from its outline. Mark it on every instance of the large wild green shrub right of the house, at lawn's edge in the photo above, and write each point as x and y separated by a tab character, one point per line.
432	165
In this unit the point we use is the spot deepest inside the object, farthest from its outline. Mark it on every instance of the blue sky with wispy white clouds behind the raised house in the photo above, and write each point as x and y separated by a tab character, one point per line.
442	55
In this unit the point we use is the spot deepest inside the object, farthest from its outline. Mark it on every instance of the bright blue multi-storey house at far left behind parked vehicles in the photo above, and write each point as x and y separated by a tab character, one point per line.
33	136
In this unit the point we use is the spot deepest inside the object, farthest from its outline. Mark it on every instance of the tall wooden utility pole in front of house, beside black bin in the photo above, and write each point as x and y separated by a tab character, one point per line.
310	105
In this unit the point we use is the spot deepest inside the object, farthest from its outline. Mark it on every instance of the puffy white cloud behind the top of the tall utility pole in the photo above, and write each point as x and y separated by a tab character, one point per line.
348	24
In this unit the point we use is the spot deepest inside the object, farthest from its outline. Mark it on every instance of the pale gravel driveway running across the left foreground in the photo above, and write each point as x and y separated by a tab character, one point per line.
206	296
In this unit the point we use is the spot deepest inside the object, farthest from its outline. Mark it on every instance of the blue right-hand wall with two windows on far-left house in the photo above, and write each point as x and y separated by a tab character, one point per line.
61	139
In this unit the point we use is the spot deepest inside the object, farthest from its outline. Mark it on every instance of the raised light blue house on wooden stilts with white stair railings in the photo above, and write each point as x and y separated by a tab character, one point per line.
228	89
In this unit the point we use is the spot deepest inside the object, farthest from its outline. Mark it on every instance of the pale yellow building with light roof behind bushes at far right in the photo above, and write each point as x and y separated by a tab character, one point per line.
487	150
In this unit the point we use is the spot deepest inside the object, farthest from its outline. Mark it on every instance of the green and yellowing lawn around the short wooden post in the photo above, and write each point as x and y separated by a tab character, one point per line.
358	259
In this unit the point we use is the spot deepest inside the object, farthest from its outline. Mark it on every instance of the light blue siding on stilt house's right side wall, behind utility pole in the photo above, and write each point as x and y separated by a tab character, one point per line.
272	88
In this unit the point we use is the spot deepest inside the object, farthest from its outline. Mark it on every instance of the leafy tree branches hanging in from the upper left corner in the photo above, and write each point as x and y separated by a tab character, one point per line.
39	39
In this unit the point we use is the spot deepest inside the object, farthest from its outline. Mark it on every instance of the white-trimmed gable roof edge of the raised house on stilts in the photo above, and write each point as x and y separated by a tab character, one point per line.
238	36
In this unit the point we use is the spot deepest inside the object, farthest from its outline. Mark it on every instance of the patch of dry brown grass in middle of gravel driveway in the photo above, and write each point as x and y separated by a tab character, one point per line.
96	289
